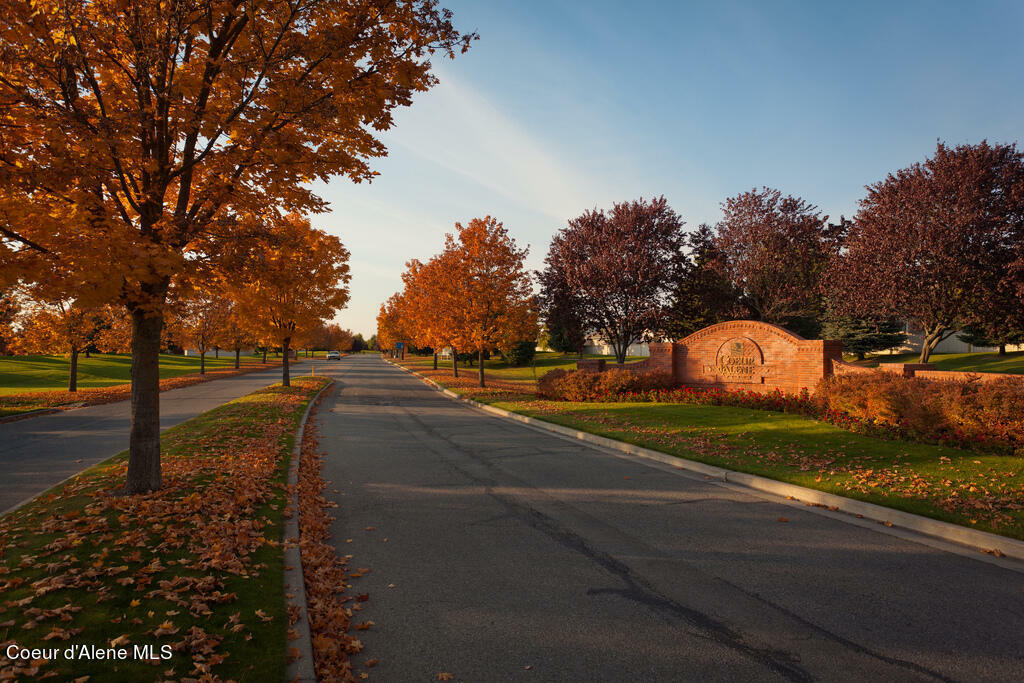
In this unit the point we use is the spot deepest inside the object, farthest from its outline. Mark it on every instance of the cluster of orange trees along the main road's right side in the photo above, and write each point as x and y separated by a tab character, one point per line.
475	296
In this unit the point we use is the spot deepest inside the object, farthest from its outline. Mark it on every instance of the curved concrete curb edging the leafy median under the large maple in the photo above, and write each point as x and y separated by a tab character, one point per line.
304	669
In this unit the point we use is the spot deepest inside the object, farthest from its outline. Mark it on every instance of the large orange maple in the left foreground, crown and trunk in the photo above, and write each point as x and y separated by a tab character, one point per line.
133	132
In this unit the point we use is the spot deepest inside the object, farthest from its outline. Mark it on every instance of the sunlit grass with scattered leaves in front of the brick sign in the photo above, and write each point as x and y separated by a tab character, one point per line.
983	492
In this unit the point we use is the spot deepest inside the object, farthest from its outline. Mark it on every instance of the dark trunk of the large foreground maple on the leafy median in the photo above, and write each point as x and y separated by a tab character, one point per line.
144	454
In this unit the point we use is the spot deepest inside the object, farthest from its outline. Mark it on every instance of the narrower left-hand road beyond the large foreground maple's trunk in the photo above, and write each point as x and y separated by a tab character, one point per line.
38	453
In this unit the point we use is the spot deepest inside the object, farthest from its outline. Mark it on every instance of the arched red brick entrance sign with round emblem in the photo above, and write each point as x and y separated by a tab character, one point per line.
747	355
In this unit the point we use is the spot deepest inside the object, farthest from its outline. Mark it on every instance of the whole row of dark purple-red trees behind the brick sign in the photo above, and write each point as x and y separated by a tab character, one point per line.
938	245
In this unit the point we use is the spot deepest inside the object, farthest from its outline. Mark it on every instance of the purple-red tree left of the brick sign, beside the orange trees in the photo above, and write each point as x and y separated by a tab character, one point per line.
622	267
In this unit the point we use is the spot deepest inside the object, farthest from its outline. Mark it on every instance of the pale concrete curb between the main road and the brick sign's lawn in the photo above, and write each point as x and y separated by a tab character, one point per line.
993	545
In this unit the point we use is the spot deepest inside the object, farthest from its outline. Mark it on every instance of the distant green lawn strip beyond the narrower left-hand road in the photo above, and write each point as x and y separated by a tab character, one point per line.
48	373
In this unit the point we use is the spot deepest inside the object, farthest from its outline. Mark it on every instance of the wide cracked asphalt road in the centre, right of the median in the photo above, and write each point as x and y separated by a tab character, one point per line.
500	552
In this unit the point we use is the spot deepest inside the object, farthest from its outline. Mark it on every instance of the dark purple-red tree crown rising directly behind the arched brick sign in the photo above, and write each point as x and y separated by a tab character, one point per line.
774	250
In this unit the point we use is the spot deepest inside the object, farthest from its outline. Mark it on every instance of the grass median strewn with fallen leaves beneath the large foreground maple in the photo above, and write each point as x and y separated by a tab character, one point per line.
196	568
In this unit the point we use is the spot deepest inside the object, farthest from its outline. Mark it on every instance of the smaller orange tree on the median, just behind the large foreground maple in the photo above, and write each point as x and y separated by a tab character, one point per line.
294	284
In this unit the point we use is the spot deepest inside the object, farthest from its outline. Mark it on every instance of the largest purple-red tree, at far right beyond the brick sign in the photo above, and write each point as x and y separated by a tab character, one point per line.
933	244
